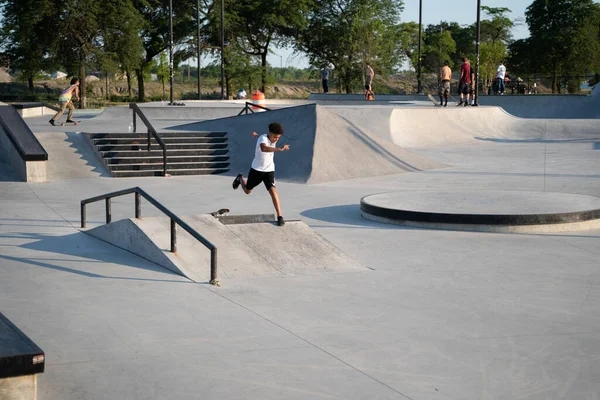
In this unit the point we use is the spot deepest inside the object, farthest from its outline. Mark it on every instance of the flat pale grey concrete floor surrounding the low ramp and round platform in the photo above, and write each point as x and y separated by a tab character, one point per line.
436	314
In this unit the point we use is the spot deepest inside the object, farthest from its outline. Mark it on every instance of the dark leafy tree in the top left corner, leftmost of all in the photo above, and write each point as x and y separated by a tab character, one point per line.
24	35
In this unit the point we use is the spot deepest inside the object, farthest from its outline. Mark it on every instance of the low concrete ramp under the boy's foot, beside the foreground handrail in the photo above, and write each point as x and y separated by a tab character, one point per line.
248	250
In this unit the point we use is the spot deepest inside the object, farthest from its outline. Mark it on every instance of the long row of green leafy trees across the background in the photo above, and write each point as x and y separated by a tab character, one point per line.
131	36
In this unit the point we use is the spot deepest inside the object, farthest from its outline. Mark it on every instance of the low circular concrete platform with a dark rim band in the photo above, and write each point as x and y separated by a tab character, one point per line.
485	211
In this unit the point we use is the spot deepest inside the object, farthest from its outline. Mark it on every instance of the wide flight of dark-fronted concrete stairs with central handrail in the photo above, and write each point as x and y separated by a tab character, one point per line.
188	153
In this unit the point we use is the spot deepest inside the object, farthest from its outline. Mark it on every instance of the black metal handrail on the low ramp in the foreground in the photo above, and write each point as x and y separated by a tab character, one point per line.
175	220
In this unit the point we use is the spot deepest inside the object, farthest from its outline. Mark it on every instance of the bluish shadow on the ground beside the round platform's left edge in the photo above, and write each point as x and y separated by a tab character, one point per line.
348	214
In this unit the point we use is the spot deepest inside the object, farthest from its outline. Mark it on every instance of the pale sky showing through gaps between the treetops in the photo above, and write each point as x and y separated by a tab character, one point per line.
462	11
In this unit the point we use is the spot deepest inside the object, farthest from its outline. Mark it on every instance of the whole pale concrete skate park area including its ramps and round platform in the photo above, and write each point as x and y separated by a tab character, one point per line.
334	304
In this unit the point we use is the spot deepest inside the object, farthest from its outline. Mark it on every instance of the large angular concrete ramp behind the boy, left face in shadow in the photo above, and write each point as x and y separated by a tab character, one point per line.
325	146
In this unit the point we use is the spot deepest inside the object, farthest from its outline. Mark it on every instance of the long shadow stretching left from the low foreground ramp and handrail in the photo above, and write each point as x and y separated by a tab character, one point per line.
90	250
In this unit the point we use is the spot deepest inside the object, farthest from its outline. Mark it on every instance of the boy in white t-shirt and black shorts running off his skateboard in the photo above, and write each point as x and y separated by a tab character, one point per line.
263	166
